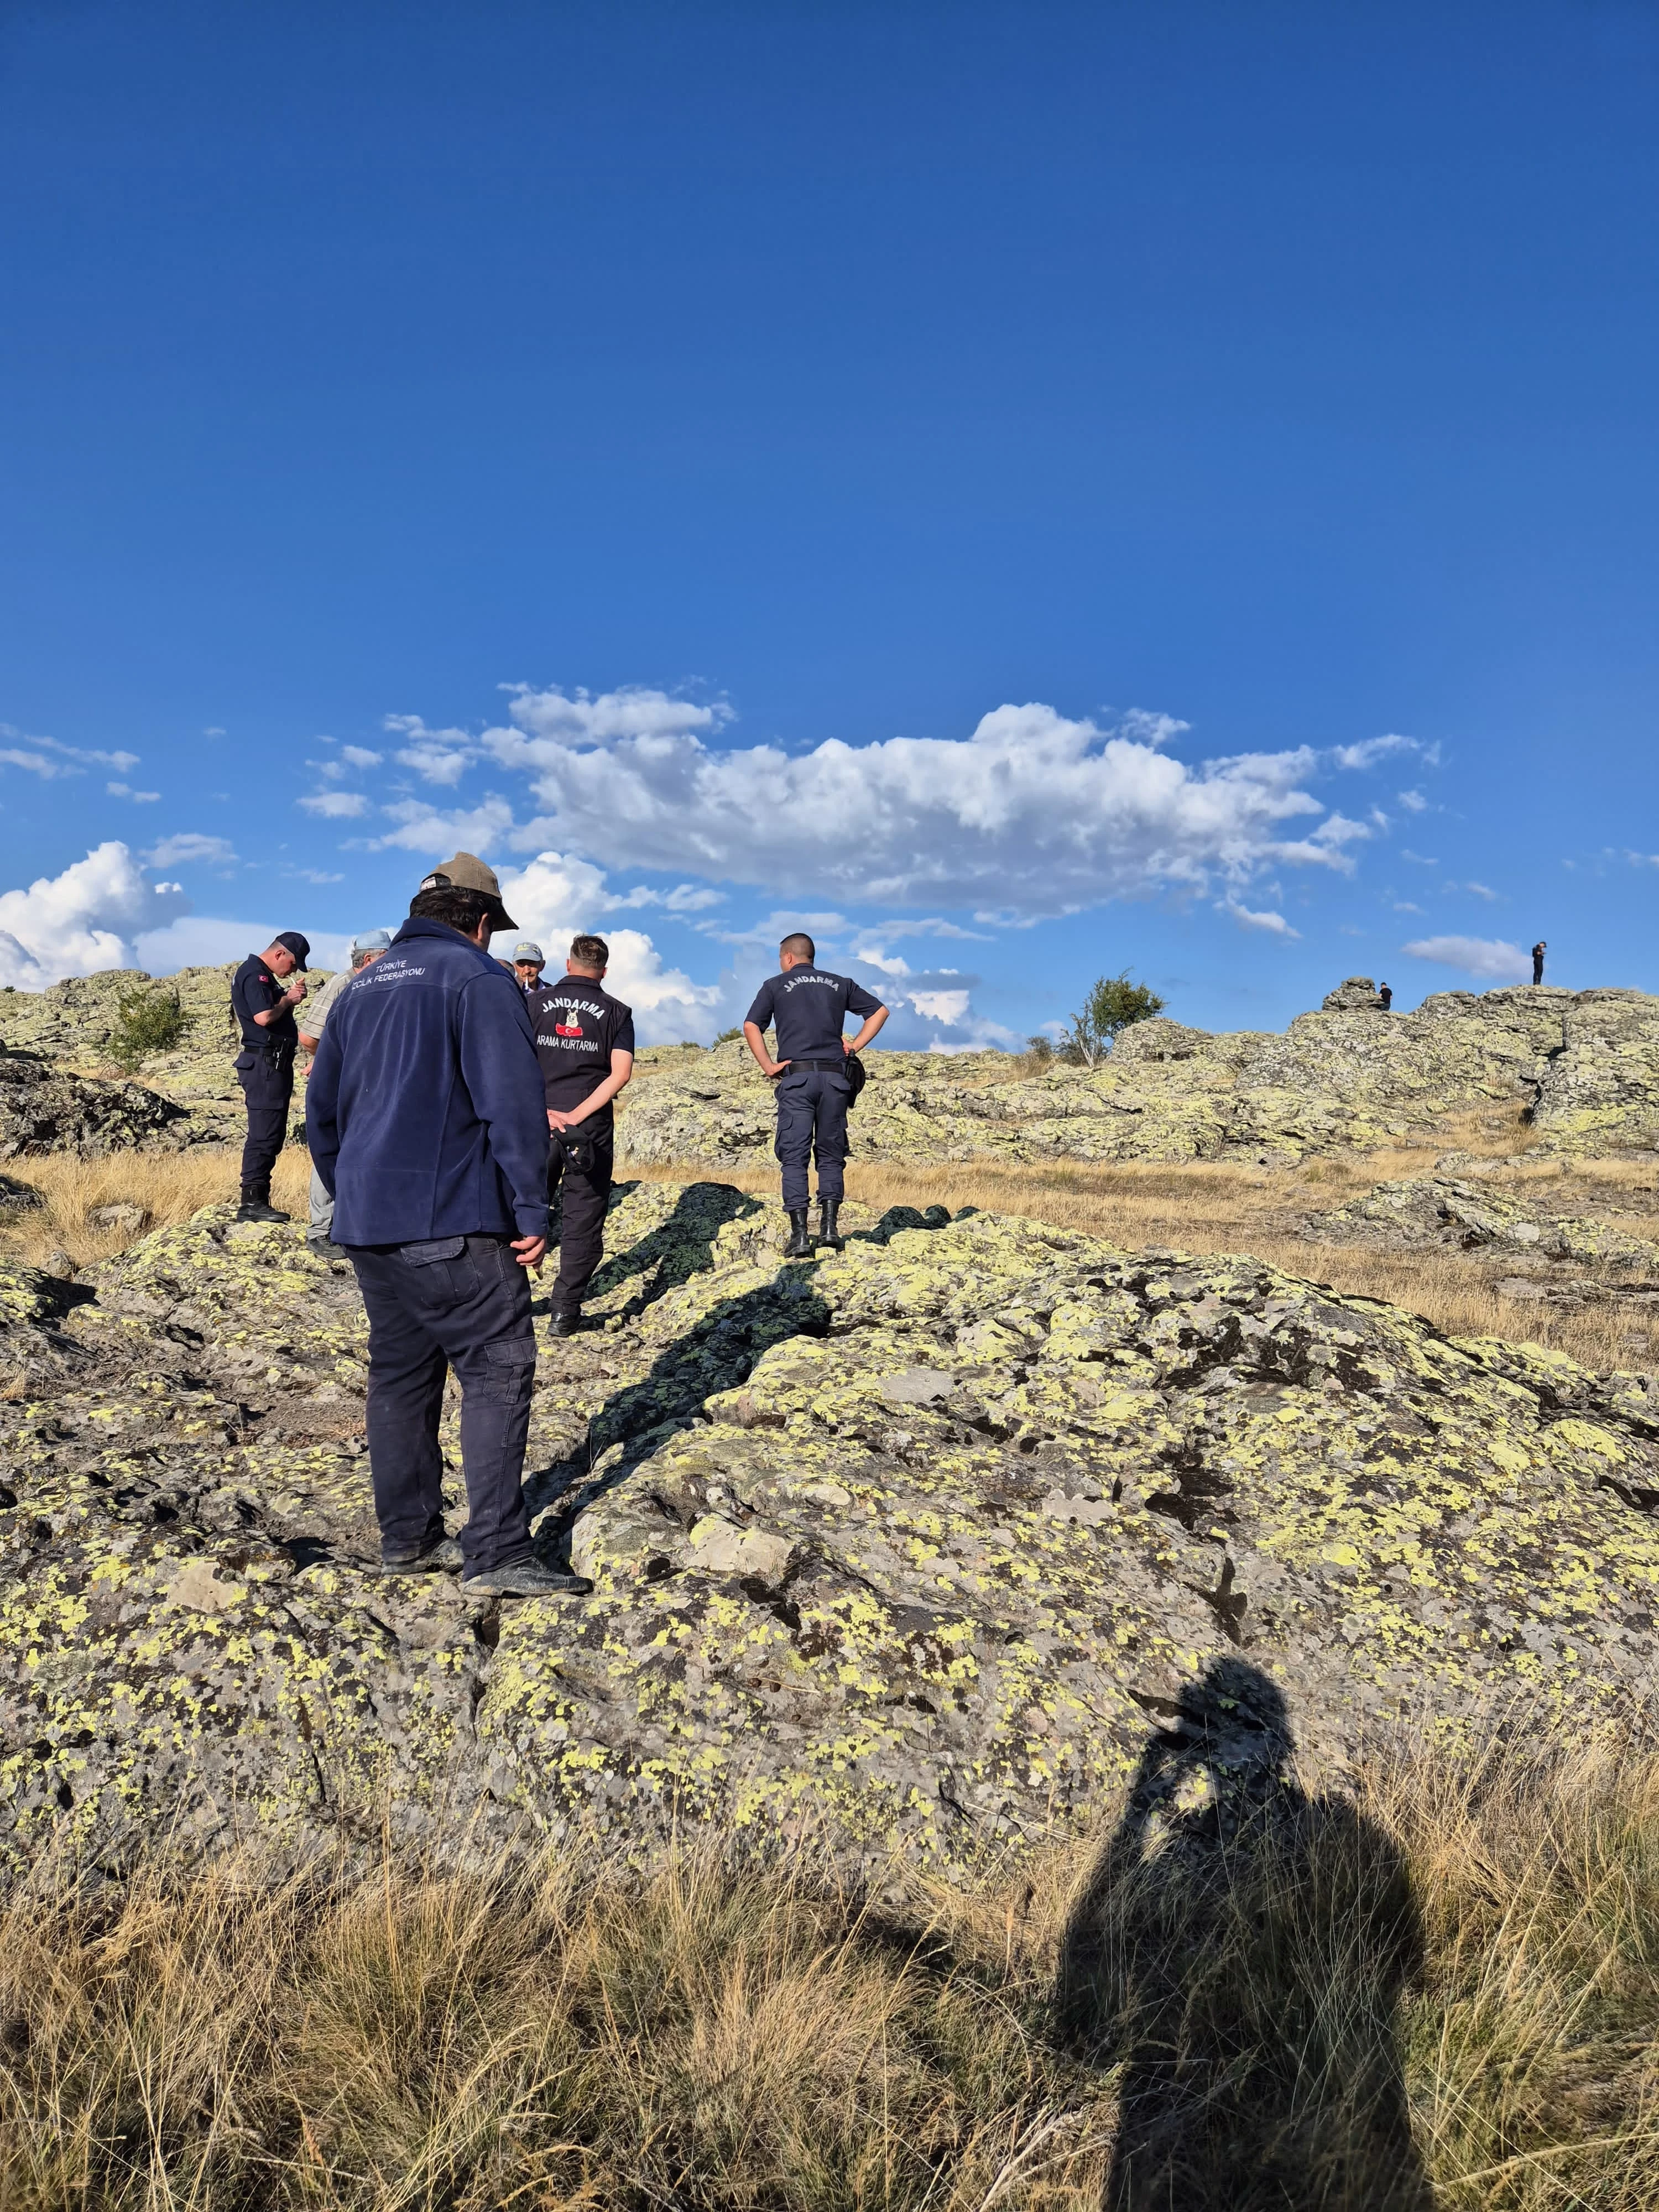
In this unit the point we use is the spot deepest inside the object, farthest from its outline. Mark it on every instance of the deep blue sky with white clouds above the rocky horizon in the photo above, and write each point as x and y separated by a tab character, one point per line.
552	428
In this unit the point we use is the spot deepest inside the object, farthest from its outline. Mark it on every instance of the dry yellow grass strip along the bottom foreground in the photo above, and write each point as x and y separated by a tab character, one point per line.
1437	1990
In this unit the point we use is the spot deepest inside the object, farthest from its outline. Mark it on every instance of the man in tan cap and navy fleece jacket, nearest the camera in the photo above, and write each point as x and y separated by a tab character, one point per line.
428	1125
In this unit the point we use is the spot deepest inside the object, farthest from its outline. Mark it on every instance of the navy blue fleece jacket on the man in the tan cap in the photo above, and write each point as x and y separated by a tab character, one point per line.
426	1112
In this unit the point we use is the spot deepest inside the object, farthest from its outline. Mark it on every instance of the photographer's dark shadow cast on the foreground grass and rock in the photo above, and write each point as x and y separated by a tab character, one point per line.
1242	1950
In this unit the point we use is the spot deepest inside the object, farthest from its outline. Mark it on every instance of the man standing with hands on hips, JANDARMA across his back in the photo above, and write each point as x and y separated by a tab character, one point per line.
811	1014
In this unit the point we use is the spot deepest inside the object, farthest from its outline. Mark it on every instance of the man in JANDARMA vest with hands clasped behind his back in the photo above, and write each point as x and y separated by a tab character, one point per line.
585	1045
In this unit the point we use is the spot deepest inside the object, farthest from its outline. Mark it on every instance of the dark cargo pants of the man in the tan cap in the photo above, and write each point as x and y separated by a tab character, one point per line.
466	1304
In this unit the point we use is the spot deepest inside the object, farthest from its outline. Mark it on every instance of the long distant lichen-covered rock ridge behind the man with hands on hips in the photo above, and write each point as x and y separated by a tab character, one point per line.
1583	1065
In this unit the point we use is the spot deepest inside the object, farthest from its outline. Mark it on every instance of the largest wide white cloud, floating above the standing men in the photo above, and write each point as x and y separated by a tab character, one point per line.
1032	811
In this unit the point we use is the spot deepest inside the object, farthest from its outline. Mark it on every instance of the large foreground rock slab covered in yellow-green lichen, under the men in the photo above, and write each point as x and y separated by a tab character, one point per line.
904	1545
